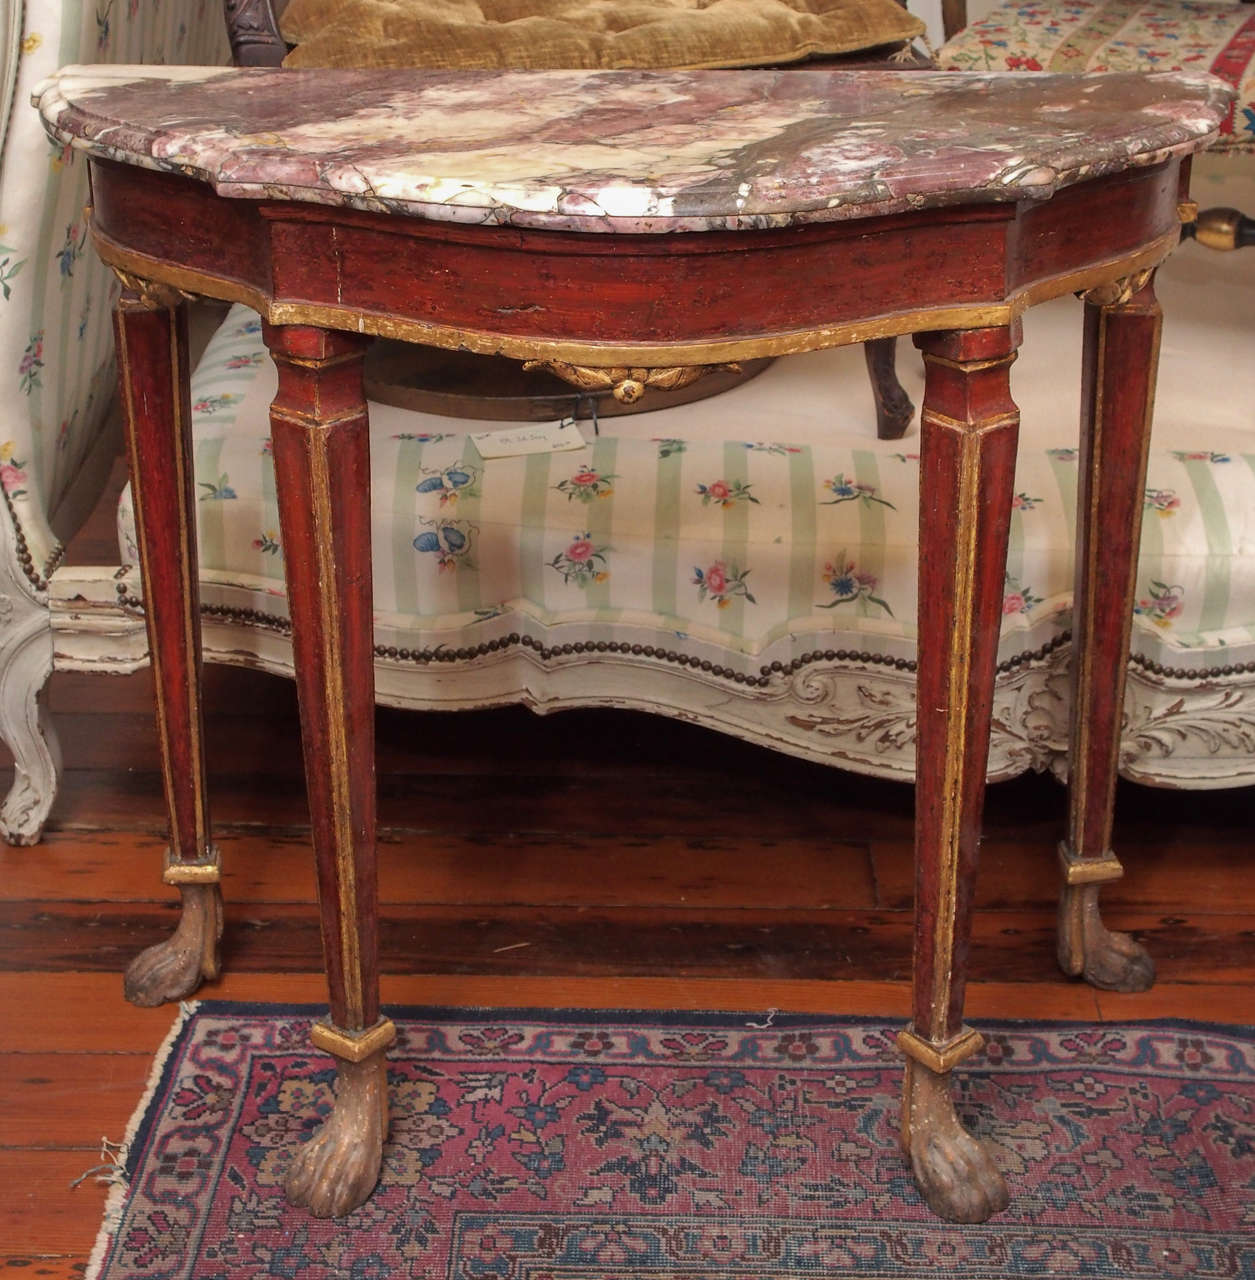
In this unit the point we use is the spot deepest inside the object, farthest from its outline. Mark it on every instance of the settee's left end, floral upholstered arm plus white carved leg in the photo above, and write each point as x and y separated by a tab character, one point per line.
57	374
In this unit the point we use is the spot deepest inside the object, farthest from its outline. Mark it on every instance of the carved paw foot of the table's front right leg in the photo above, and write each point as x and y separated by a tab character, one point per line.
956	1174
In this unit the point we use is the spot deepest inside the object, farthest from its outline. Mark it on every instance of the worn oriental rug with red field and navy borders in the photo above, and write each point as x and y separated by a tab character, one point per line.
536	1145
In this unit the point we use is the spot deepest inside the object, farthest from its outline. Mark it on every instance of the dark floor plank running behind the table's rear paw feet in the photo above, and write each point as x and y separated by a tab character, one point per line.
1015	947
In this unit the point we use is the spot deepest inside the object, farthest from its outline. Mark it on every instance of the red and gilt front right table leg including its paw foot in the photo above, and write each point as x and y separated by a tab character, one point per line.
969	433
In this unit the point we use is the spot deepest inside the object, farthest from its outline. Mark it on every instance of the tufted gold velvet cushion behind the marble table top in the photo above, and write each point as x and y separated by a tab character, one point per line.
597	35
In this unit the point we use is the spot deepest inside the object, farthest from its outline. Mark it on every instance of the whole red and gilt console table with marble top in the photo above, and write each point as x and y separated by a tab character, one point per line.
632	231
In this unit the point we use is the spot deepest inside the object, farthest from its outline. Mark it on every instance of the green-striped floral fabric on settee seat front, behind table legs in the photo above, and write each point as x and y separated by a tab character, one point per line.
756	540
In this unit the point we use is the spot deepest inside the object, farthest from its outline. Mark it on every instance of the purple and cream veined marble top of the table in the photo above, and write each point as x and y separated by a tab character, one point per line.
631	152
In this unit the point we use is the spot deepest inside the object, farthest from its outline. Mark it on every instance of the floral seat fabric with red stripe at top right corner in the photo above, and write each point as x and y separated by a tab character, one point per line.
1120	36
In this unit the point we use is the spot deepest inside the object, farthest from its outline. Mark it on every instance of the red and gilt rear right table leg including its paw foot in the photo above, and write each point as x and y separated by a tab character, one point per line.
1121	356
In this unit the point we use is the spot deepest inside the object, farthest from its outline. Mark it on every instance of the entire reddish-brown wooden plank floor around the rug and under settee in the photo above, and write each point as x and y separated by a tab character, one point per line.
588	860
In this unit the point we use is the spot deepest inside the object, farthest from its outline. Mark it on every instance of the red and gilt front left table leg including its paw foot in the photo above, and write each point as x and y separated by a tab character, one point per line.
322	461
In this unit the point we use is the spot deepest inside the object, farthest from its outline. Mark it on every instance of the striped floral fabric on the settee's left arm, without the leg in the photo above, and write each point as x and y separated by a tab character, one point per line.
57	378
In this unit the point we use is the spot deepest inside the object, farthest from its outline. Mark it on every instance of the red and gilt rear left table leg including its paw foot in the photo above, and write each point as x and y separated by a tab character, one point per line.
150	326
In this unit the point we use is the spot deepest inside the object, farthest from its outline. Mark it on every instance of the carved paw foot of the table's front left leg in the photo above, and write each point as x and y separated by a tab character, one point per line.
339	1168
